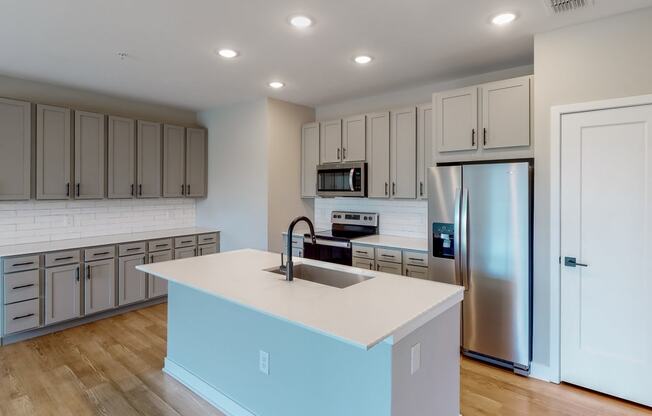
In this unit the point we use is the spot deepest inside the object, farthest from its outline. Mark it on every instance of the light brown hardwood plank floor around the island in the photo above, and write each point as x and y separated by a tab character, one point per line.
113	367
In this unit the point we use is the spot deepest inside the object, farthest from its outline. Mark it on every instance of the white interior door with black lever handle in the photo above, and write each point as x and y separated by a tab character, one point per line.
606	213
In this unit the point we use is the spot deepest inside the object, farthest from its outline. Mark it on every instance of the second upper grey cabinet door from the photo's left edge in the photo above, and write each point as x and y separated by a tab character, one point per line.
53	152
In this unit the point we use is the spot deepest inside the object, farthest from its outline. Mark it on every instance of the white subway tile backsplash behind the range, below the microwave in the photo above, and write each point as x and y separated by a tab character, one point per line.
400	218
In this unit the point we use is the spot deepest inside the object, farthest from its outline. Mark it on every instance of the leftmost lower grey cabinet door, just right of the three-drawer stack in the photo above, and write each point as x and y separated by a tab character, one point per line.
62	293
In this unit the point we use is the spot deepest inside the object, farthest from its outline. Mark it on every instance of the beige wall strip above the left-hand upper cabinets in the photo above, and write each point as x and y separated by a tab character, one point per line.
44	93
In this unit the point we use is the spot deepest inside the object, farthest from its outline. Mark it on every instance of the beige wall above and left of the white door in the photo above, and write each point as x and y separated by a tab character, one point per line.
603	59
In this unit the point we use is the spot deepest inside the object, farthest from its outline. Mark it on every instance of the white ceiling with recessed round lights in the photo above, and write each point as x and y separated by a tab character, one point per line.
171	45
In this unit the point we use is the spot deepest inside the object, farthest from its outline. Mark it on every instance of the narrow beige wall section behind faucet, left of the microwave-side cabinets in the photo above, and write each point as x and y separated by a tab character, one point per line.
284	200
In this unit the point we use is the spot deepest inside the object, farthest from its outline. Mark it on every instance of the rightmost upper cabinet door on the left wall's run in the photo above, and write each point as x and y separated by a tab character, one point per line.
196	173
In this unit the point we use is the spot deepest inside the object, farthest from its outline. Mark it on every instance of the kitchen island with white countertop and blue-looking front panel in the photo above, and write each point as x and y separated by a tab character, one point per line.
252	343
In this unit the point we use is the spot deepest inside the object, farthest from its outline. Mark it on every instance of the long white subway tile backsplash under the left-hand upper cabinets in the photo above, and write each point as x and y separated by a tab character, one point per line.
36	221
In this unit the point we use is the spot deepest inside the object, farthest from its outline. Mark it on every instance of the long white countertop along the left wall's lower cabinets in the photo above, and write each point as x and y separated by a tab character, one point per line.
48	246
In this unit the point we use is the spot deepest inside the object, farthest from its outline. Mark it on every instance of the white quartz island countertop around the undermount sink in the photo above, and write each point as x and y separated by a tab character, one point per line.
363	314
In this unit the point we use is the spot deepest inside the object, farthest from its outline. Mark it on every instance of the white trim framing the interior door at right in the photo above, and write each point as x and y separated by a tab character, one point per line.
556	113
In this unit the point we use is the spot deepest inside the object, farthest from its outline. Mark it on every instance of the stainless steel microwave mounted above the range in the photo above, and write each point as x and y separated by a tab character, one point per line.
342	179
